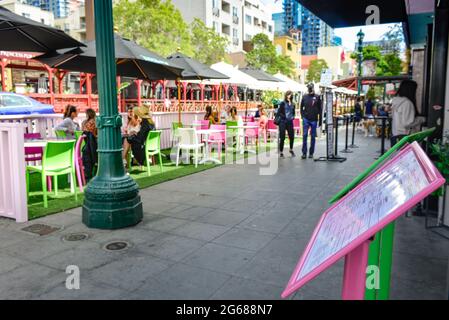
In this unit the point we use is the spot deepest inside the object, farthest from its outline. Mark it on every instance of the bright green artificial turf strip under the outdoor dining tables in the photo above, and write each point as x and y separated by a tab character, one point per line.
66	200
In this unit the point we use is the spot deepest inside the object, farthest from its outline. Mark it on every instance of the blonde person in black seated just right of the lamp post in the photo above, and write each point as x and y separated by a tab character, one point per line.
137	141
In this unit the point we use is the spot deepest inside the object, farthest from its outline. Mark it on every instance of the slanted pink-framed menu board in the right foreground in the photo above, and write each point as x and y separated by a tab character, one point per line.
389	192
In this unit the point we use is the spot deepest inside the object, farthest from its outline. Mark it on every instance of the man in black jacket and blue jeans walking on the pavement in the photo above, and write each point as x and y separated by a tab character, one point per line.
311	113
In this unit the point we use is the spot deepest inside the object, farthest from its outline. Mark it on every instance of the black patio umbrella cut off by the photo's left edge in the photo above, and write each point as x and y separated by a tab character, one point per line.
18	33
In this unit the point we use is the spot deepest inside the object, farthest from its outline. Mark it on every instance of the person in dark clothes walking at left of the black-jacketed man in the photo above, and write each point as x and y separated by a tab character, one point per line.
285	115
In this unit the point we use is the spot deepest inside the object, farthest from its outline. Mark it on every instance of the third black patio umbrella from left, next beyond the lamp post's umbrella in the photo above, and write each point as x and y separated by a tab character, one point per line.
193	69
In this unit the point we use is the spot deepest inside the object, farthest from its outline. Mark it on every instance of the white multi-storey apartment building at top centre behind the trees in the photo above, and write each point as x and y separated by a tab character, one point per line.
238	20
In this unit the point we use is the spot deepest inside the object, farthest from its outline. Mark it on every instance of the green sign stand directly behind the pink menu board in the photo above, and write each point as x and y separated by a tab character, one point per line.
381	248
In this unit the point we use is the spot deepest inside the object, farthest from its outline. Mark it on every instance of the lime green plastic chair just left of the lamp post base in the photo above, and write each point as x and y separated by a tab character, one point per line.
57	160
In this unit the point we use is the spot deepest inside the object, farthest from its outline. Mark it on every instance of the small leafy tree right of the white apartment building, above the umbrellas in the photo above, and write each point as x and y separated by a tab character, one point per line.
263	56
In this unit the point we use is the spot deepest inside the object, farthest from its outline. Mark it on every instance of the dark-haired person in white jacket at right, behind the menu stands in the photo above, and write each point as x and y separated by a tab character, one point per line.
404	111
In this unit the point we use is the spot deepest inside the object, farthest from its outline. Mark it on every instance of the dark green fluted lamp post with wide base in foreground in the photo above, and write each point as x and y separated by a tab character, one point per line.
112	198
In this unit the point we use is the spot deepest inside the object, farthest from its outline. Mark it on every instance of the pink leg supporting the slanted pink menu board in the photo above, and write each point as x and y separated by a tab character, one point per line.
354	278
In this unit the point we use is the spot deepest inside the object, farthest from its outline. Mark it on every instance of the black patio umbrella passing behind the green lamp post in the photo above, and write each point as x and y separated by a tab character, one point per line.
132	61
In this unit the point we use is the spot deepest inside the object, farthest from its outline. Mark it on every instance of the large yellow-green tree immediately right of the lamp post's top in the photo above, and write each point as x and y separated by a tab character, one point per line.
154	24
